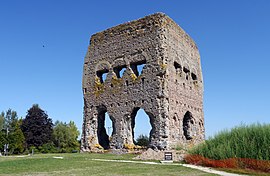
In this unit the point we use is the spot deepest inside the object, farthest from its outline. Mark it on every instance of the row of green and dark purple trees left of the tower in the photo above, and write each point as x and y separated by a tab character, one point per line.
36	132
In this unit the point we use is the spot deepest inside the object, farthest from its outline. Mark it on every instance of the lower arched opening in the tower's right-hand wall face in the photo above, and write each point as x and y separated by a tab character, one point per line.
188	124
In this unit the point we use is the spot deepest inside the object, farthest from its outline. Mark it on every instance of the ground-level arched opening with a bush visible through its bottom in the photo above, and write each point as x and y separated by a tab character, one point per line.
142	126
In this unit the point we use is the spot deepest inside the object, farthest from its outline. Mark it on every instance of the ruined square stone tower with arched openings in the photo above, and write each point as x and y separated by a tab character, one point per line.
169	87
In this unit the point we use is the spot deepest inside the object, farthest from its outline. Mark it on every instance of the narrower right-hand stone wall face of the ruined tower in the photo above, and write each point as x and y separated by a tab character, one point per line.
184	87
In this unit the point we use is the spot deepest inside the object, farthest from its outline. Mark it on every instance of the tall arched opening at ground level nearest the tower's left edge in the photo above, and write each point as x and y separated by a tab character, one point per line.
103	126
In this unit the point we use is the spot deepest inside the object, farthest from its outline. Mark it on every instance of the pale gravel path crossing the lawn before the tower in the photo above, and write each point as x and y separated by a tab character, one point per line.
205	169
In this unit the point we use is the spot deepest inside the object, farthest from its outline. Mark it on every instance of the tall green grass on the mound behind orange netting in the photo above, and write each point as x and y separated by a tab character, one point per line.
244	141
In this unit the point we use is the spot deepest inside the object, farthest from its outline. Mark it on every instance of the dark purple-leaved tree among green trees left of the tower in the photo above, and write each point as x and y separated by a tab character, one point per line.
37	127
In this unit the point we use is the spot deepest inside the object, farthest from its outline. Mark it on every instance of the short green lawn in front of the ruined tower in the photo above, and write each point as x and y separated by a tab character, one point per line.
82	164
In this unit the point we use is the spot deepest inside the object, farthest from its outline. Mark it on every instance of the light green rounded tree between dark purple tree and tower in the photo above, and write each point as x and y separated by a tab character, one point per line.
65	136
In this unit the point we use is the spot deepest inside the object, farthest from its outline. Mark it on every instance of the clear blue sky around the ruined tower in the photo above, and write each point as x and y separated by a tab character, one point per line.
43	44
